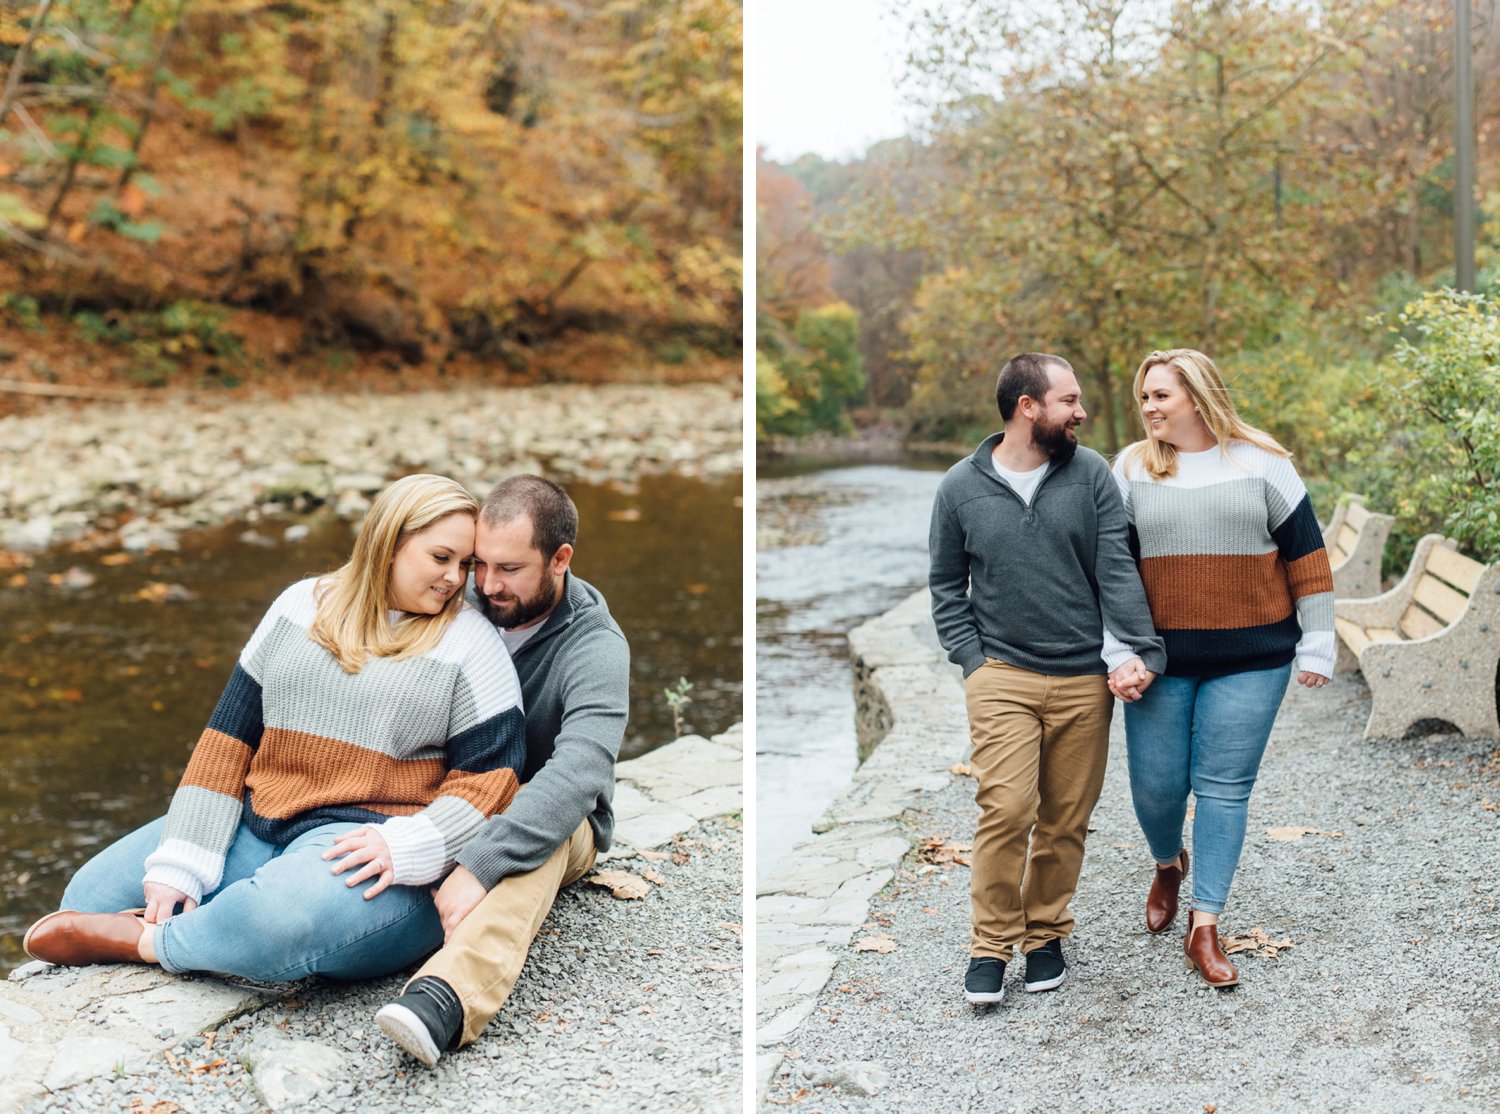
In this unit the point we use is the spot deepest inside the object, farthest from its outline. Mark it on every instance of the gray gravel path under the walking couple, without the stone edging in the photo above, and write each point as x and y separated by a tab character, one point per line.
1385	1002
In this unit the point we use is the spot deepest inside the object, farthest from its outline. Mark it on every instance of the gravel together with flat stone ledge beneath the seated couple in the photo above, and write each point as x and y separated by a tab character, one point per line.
623	1004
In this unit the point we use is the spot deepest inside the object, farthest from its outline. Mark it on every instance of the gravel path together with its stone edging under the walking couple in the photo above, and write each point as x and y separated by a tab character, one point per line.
1366	905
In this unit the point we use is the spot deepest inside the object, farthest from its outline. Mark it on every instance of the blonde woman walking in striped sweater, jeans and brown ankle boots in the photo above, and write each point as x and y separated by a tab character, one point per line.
1241	591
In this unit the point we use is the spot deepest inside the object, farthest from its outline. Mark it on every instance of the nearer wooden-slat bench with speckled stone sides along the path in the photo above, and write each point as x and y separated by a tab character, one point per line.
1429	648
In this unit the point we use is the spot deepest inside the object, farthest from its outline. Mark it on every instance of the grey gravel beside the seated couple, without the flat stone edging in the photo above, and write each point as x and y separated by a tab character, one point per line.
623	1005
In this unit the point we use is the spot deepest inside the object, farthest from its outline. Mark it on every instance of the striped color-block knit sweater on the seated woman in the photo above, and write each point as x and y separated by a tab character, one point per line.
425	747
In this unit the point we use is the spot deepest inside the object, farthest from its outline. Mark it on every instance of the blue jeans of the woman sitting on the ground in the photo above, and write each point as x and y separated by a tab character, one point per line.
278	915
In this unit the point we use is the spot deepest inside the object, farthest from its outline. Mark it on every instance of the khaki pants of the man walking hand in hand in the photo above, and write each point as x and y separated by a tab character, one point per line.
1040	747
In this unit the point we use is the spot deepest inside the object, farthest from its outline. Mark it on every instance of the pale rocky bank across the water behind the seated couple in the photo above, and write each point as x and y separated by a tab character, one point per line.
139	476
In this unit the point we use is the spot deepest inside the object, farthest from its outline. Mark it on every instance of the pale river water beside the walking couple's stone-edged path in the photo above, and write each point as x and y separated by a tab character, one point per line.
836	548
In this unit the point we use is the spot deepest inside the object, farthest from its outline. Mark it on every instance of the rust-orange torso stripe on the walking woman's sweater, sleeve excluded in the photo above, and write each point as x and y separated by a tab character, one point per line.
1216	591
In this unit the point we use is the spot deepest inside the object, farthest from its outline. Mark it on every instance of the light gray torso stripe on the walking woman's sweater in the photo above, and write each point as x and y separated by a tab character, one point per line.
1223	520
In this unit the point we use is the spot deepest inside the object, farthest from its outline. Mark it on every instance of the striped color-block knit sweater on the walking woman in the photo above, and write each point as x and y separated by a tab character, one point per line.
1232	560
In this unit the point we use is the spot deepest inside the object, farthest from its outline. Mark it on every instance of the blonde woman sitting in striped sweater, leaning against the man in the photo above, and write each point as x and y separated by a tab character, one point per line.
371	726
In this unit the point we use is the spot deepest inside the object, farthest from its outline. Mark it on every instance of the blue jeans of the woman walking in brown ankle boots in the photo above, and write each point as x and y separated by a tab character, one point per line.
1204	735
